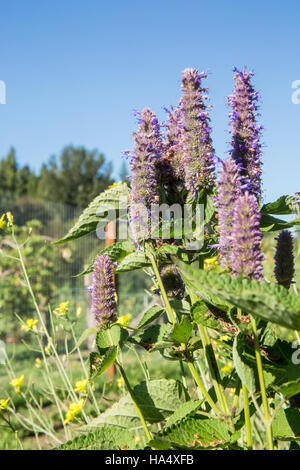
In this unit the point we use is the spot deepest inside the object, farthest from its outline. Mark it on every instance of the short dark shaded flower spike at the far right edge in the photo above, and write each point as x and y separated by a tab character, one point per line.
284	259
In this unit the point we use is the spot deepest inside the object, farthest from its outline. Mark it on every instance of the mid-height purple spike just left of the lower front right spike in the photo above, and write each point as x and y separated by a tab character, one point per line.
229	189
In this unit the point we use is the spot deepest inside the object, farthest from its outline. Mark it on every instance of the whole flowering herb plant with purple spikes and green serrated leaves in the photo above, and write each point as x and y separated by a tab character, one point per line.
213	311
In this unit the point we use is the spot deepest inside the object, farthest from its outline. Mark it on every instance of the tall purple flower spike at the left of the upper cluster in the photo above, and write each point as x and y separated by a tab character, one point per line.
144	162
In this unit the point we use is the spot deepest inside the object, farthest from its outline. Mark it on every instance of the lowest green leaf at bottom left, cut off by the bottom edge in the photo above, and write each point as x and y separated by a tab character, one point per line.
103	438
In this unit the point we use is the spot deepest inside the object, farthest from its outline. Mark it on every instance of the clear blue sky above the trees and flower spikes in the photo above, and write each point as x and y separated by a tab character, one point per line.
75	70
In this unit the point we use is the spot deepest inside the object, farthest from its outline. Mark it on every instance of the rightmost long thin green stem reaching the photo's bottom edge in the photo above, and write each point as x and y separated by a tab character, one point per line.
267	419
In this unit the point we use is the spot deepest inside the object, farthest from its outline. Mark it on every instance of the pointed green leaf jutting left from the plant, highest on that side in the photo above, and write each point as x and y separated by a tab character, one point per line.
91	216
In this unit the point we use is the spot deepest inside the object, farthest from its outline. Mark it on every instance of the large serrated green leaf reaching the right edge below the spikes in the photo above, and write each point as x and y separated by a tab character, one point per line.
268	301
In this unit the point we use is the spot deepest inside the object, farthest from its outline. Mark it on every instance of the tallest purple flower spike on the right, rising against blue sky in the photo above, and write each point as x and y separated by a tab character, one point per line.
246	146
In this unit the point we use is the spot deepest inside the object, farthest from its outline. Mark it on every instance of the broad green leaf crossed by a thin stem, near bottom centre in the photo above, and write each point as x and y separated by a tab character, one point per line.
157	399
